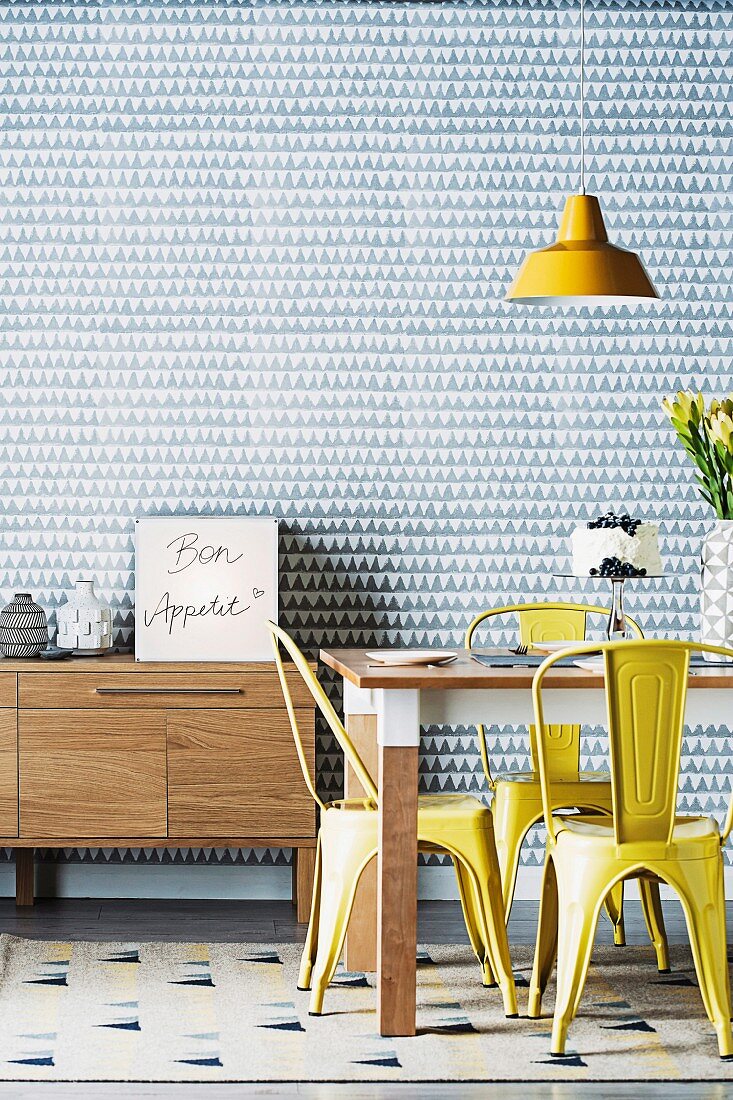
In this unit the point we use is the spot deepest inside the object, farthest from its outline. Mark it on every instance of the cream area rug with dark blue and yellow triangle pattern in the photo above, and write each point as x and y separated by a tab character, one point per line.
231	1013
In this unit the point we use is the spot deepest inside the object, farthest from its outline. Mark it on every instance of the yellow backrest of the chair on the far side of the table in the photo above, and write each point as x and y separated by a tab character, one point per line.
549	622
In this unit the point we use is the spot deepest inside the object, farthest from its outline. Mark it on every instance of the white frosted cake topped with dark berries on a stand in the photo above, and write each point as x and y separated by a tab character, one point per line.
616	546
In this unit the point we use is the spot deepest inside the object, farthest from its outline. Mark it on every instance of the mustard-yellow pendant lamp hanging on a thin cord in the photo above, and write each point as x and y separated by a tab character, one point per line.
582	269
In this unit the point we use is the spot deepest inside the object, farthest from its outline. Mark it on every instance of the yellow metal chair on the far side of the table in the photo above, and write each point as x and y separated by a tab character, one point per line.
518	804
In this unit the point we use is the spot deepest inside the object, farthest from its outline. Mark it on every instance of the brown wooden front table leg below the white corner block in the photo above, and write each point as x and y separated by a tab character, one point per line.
397	936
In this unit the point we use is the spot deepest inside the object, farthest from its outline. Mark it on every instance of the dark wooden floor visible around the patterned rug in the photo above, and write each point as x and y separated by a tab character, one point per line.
267	922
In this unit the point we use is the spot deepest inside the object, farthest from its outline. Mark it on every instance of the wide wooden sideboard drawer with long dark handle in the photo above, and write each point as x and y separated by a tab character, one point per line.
157	691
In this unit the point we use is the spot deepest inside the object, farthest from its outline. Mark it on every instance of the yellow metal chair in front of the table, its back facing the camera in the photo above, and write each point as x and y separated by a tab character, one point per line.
589	854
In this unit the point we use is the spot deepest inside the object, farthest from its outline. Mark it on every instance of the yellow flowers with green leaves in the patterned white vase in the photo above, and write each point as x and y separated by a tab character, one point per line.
707	435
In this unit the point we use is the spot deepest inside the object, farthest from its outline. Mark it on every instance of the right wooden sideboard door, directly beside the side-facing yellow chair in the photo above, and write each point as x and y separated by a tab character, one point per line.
237	775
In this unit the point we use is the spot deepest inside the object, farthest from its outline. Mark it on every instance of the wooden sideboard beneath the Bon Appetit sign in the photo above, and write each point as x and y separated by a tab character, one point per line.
106	752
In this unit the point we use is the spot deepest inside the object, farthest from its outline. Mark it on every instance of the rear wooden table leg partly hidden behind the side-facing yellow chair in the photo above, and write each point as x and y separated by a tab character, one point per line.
360	950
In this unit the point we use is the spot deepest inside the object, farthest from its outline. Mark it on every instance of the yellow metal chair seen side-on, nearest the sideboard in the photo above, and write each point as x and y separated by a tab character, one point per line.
457	824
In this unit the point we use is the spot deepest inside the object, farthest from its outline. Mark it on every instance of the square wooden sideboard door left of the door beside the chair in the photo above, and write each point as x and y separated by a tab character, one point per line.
92	774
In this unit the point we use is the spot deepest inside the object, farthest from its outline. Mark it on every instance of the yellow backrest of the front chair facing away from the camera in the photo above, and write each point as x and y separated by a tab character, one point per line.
646	692
